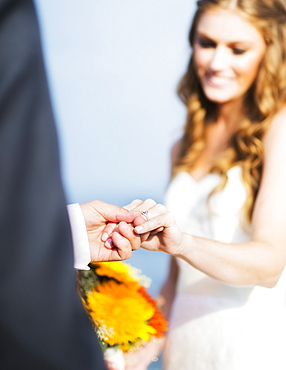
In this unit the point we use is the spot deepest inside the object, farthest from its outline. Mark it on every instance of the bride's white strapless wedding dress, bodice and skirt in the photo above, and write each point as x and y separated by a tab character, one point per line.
216	326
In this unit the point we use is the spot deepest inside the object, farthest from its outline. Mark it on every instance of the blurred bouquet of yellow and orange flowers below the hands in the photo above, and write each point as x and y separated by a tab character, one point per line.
124	315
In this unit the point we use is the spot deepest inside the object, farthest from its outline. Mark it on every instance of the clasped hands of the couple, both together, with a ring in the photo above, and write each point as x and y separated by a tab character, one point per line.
114	232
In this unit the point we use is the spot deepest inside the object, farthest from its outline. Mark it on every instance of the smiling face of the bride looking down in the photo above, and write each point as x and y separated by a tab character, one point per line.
227	53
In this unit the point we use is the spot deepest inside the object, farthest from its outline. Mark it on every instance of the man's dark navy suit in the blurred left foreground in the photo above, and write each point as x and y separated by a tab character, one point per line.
42	323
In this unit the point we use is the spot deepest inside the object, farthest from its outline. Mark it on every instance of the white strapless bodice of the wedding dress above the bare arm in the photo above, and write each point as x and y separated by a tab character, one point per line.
217	217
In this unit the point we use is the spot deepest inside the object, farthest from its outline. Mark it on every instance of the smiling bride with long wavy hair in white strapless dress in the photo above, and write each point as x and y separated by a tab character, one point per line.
225	295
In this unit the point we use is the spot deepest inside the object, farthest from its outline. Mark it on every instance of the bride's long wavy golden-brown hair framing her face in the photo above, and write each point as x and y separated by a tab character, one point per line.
264	98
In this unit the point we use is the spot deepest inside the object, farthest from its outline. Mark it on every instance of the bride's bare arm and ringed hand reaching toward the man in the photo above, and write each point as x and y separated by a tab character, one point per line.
258	262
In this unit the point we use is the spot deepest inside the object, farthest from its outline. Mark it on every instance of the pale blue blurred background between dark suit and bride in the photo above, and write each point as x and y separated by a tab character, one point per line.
113	68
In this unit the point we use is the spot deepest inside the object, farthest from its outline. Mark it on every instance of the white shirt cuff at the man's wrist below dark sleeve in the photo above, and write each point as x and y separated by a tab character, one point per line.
79	237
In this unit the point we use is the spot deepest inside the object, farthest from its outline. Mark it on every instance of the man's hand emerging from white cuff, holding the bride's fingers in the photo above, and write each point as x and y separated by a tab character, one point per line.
97	215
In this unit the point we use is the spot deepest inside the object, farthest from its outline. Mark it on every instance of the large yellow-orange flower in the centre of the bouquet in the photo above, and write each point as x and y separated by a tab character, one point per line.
122	311
